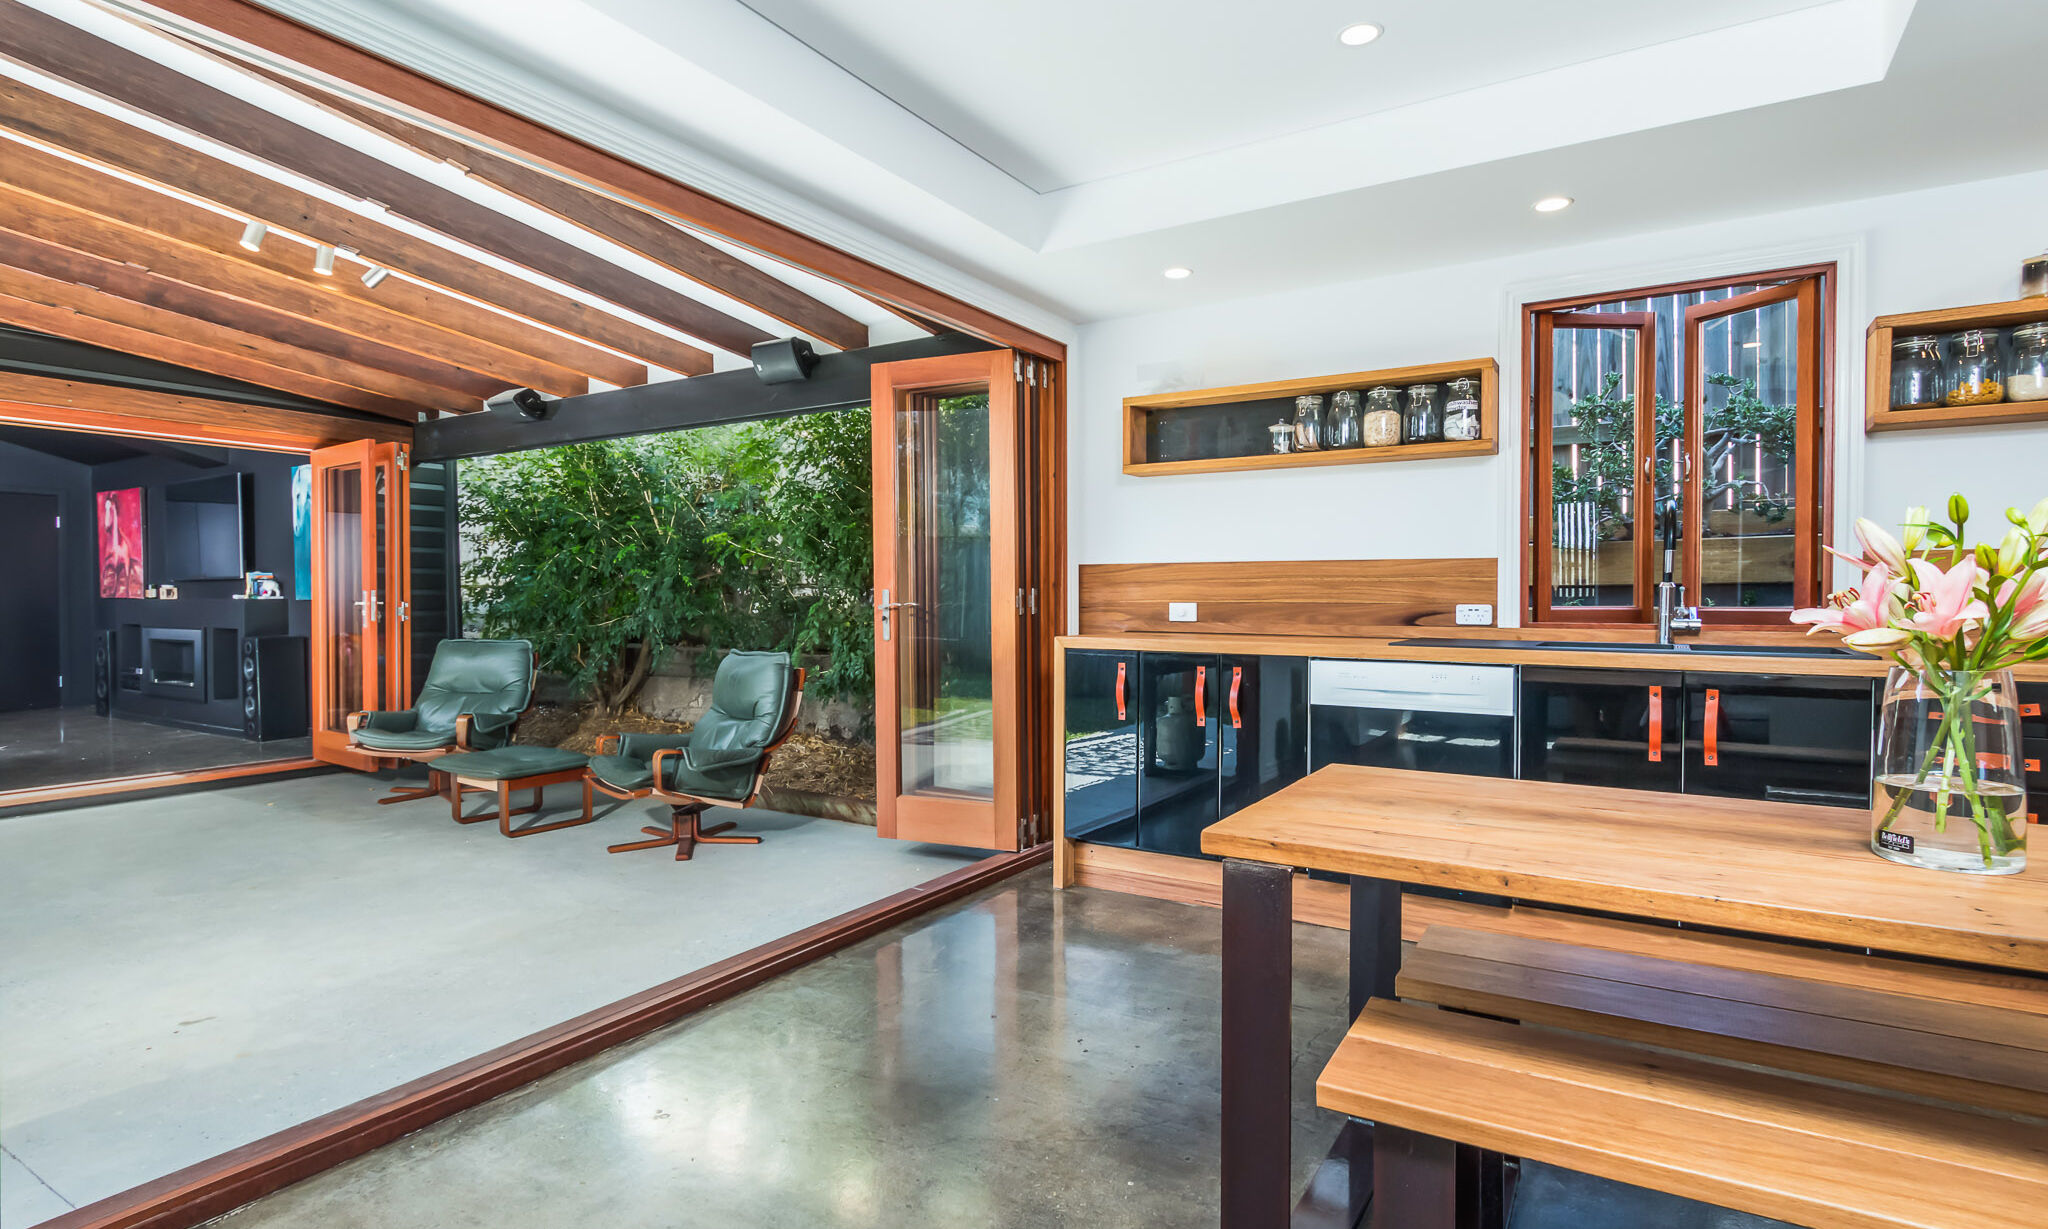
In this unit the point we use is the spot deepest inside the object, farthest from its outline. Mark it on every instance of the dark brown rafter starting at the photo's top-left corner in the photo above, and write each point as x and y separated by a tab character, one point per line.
114	73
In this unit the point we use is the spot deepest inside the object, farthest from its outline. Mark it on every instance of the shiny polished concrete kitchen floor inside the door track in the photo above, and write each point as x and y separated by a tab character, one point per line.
1027	1060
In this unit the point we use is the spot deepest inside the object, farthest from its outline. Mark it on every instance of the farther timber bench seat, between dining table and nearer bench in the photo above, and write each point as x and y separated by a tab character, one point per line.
1965	1052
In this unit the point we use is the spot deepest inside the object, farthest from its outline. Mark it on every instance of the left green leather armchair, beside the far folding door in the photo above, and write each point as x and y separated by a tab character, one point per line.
472	697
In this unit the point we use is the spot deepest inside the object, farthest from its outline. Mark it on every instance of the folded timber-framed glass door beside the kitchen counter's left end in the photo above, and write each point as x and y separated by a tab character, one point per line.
953	601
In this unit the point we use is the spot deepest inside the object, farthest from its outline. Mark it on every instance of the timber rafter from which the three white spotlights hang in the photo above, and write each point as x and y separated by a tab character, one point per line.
126	149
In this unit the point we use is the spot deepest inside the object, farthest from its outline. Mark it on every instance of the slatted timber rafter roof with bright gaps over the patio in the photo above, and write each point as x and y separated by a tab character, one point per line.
116	237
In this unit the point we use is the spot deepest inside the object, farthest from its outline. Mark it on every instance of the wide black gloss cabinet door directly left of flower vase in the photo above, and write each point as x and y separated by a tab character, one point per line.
1781	738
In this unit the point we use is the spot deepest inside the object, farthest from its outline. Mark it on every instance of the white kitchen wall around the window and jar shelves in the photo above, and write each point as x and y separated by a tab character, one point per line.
1908	253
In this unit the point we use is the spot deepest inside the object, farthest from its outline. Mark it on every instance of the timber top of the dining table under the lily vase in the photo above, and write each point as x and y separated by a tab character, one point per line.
1764	867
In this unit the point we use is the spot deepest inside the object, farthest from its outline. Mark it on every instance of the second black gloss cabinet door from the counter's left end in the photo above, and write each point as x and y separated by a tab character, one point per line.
1179	751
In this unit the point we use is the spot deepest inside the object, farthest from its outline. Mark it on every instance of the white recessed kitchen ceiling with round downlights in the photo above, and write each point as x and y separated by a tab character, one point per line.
1052	159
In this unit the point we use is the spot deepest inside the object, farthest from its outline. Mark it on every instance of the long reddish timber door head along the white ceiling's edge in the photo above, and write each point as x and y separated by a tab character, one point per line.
488	124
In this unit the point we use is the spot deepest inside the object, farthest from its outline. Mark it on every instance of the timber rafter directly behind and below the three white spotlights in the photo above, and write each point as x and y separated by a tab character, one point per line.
290	292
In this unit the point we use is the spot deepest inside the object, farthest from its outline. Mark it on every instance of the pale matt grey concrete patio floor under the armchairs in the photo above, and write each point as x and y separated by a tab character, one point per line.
187	974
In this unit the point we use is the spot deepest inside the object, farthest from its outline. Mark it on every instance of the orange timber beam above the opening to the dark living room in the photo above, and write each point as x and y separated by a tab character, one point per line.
75	405
